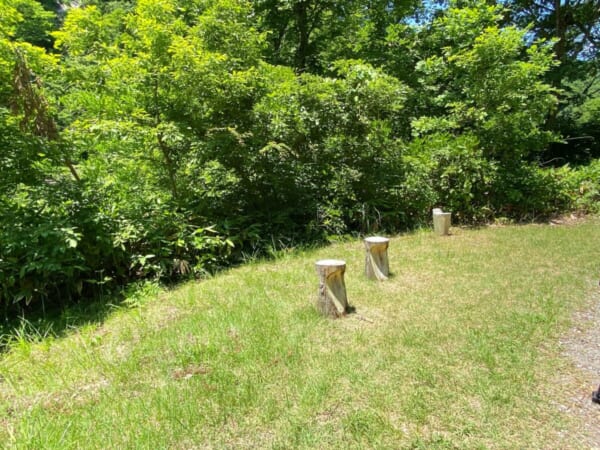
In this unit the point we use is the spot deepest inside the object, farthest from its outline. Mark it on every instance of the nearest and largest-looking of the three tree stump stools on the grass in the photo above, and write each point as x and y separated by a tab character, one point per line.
332	300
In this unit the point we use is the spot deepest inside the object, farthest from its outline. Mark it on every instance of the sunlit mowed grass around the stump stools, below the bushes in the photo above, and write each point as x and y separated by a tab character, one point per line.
458	349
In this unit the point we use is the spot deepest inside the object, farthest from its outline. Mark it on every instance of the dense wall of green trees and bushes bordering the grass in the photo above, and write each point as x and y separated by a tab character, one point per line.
169	138
